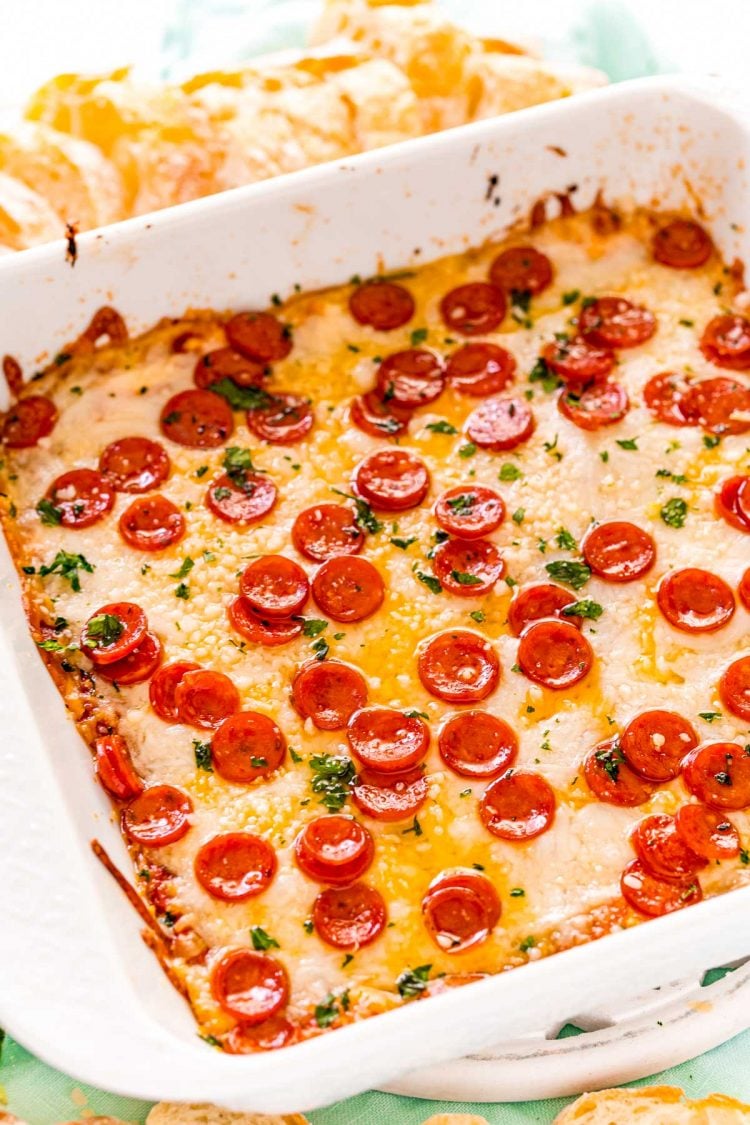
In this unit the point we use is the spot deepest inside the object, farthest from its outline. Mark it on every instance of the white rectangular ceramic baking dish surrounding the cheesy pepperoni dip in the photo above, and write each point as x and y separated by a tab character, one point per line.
77	985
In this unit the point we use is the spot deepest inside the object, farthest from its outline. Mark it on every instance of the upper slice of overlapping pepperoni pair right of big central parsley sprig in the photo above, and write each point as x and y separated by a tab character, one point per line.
386	741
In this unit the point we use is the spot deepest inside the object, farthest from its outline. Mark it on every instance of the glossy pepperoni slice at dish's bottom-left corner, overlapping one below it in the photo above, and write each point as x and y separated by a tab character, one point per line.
250	986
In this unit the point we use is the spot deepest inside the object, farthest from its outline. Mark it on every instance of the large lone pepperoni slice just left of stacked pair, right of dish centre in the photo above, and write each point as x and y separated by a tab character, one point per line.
458	667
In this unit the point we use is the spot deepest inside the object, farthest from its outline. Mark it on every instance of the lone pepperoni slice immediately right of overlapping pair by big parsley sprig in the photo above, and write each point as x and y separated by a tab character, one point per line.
475	744
